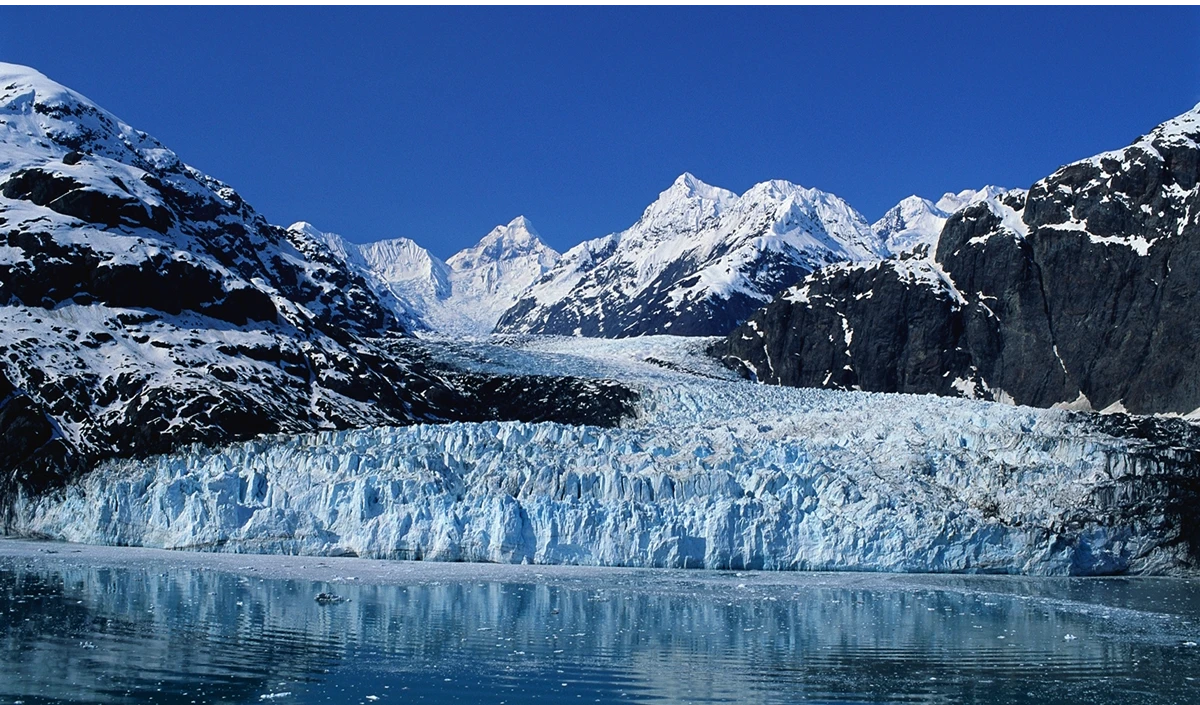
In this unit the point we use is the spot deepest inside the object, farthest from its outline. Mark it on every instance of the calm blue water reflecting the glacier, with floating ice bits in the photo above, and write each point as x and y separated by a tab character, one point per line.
100	626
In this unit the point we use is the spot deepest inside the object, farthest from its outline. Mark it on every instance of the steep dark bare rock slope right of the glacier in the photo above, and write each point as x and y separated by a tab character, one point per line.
1081	292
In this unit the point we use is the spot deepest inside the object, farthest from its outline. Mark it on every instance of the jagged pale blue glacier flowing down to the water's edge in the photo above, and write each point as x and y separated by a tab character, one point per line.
712	473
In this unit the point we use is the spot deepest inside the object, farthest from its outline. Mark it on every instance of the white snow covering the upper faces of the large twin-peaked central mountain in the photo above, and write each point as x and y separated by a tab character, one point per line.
709	244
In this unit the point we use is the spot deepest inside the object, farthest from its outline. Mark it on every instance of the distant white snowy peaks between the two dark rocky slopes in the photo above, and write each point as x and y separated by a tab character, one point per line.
699	262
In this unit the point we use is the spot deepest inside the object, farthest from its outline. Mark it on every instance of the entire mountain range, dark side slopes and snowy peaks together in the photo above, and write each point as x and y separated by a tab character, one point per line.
146	305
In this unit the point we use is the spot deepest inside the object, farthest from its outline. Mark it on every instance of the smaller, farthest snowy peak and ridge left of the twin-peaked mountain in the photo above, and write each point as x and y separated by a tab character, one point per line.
464	296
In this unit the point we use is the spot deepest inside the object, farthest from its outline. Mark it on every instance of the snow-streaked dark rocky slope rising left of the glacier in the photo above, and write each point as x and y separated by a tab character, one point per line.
146	306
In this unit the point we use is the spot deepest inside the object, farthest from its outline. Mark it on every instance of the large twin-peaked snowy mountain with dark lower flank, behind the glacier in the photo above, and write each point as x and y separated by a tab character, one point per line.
698	262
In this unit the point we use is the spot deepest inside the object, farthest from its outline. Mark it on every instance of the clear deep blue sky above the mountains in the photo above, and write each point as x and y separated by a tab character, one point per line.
440	123
